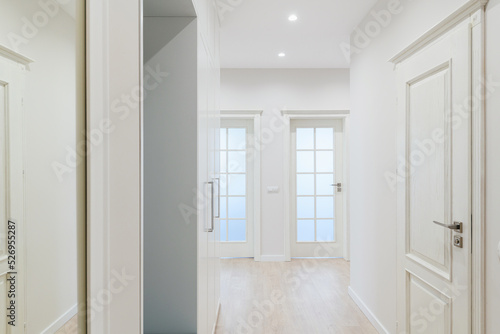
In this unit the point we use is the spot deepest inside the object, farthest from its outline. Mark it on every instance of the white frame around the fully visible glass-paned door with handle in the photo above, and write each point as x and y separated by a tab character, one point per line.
289	115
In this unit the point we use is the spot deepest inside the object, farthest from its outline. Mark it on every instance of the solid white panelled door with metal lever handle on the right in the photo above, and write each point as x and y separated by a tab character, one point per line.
435	187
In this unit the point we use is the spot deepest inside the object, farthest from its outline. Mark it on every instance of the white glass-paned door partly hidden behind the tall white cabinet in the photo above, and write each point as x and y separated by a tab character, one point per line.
236	215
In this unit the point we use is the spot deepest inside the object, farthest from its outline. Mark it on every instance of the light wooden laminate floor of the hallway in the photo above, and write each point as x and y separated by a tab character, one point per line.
306	296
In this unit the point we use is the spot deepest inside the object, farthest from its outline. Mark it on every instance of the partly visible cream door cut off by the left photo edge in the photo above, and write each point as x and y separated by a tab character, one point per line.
12	271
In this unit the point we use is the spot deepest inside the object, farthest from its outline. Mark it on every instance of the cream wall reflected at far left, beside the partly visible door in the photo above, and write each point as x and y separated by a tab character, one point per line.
55	208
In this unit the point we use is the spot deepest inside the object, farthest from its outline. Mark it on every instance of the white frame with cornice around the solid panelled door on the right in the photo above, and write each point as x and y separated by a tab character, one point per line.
475	11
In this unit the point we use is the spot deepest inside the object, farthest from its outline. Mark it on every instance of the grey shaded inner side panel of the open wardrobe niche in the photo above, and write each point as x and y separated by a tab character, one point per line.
170	175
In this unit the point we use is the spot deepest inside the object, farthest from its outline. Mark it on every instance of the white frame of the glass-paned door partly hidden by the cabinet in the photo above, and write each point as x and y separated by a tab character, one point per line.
255	116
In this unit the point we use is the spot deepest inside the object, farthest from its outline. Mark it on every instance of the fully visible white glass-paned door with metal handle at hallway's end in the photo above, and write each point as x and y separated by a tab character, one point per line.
316	188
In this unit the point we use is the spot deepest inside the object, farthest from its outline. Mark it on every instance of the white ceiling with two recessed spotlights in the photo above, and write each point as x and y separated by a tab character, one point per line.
255	31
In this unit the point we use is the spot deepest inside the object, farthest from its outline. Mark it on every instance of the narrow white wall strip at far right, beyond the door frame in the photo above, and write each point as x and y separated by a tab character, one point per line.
492	170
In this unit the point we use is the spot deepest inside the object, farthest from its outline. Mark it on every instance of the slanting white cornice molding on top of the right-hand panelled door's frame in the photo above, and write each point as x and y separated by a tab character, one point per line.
438	30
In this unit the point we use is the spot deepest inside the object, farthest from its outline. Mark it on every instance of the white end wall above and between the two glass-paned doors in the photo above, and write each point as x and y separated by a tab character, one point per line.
273	91
